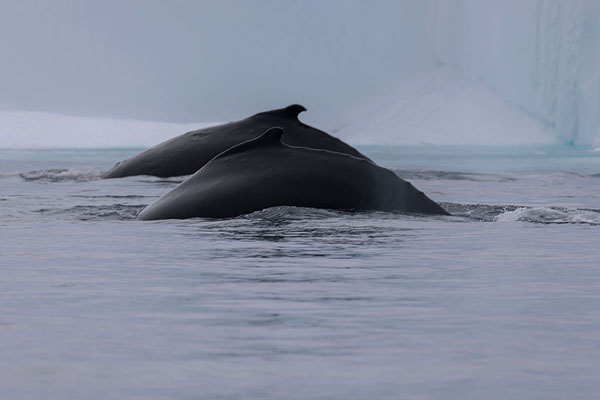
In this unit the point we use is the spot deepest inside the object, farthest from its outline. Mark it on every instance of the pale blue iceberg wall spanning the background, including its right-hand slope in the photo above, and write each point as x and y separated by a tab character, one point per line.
486	71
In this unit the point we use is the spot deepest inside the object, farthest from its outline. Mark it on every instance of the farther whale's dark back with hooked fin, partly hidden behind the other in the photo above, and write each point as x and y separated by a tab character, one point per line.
187	153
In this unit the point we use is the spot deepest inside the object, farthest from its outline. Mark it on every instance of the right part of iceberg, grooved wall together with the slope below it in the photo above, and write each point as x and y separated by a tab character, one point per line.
510	72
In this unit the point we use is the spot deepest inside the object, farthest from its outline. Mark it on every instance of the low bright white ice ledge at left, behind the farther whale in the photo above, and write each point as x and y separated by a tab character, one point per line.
26	129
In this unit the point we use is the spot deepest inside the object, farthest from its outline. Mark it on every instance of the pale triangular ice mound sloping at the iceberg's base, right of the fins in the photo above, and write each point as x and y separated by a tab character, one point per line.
442	106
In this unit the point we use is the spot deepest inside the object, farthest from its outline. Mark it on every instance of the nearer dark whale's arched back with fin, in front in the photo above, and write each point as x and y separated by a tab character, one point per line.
264	172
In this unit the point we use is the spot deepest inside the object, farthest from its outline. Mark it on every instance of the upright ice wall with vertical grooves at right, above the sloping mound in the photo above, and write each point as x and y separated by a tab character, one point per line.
541	55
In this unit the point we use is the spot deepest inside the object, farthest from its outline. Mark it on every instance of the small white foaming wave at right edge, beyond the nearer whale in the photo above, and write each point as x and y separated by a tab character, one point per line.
545	215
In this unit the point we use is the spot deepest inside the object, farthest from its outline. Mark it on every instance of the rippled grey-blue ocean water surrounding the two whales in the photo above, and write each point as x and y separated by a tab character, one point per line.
499	301
